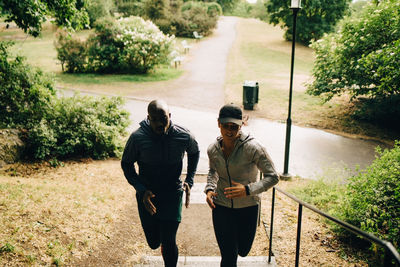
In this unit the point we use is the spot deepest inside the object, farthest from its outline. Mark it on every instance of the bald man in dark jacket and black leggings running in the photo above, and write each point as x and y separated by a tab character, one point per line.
158	148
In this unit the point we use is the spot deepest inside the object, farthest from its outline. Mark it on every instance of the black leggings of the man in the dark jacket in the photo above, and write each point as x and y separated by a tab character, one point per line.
160	232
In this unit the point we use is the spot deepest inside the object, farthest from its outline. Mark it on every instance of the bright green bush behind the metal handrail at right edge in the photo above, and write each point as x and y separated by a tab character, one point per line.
372	199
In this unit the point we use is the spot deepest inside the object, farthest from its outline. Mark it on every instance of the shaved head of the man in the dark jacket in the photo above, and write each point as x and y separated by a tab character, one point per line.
159	116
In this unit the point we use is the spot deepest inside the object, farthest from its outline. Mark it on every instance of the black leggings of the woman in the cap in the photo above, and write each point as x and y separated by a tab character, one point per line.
235	230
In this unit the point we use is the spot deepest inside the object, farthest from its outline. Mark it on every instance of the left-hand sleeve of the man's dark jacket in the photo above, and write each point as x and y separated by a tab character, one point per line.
129	157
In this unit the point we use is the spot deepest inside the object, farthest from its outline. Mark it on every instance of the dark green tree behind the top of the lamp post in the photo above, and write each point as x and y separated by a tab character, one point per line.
314	19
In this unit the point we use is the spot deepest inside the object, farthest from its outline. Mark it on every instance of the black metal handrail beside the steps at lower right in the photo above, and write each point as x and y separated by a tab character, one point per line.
390	250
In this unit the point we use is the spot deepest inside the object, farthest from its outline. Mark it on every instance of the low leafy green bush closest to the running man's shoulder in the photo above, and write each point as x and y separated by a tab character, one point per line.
80	126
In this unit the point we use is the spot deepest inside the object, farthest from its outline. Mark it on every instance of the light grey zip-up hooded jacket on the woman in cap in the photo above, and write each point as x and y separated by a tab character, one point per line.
242	166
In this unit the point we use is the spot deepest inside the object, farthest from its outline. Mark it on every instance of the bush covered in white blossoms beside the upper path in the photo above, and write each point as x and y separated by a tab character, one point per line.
144	45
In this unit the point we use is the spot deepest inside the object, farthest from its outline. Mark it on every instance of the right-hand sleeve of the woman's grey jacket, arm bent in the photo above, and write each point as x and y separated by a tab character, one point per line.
266	166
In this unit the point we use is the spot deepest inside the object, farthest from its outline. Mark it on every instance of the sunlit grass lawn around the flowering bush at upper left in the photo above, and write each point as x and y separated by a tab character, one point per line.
40	52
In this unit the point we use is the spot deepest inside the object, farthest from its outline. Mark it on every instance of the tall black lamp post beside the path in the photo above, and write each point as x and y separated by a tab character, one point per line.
295	7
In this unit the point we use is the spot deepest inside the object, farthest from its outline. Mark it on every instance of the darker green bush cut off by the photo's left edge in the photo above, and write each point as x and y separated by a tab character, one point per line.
25	92
